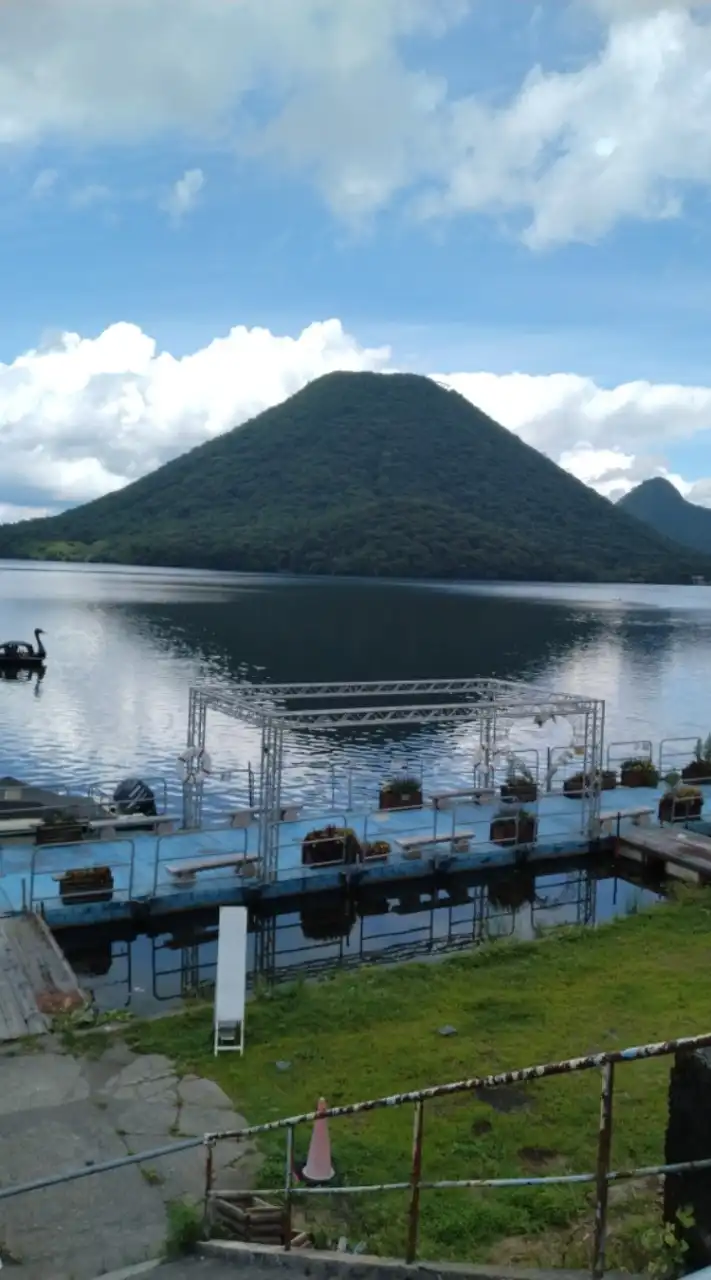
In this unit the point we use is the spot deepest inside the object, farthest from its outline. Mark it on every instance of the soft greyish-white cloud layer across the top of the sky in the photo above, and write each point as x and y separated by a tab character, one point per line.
340	92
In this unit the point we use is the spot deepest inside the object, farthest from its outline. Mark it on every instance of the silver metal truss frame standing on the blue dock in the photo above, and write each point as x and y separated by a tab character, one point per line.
481	702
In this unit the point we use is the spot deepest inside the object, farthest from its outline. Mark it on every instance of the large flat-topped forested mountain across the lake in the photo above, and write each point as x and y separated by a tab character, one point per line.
368	474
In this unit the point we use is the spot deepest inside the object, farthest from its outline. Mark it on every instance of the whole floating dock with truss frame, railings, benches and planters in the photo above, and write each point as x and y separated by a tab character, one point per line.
253	848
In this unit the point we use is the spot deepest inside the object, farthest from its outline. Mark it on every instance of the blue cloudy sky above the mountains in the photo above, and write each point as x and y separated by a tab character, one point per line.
206	204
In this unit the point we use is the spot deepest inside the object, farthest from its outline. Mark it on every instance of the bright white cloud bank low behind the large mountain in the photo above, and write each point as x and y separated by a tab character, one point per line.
84	417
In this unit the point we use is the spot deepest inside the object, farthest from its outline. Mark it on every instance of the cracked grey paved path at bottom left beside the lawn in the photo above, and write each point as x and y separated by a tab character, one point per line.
60	1113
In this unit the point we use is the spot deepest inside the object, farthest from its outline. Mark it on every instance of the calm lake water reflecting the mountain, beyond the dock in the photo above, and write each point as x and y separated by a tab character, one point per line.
125	647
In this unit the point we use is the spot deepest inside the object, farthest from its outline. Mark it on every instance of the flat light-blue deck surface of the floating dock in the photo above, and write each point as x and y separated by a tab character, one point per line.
145	885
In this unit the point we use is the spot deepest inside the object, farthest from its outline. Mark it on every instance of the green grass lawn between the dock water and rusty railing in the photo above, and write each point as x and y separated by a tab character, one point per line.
366	1035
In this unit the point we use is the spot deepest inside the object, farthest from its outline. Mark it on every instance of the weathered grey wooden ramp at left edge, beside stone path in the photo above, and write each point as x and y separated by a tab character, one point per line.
37	982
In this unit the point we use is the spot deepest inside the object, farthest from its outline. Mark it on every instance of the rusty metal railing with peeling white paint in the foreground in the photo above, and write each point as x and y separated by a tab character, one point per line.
416	1185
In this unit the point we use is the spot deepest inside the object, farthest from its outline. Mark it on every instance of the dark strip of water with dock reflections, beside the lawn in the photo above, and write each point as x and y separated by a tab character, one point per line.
147	971
